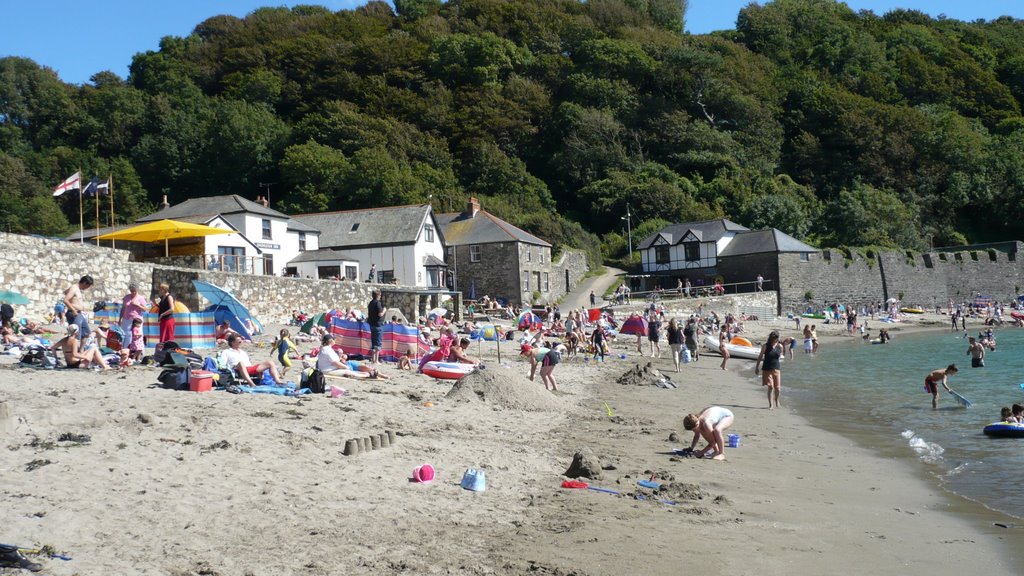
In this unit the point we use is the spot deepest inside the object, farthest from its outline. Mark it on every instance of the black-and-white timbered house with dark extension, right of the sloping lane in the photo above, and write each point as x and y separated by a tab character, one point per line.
715	251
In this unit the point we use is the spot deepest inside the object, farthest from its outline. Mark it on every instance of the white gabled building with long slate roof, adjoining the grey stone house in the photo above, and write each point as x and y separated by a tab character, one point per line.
402	244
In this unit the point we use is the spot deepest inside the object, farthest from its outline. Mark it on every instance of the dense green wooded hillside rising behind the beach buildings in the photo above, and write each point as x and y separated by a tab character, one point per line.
834	127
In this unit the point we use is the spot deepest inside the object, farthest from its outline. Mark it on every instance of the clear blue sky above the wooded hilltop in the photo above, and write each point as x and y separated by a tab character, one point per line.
79	38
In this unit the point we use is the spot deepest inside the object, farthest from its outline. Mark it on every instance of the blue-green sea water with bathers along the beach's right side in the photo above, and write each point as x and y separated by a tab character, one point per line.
875	394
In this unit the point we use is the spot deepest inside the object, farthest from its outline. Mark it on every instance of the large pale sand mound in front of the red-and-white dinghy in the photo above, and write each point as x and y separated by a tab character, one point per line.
506	389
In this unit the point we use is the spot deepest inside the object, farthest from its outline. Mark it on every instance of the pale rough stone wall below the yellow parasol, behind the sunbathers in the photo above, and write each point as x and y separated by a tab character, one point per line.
42	270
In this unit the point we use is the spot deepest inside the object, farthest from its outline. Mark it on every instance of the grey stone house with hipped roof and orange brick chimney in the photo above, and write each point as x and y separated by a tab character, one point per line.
490	257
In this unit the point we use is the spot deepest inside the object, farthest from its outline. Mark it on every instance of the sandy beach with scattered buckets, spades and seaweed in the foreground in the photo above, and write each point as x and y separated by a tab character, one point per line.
160	482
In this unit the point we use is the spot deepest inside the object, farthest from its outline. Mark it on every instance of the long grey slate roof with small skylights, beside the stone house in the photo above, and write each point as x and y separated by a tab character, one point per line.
391	226
